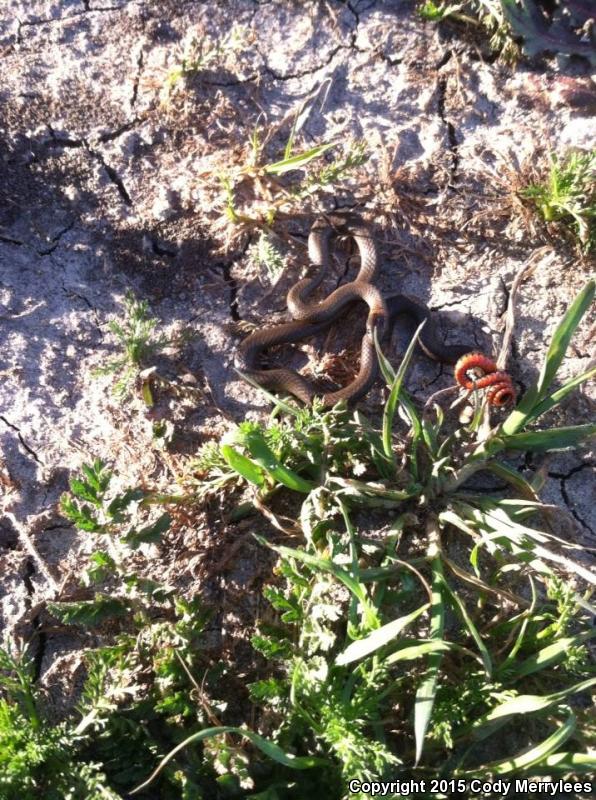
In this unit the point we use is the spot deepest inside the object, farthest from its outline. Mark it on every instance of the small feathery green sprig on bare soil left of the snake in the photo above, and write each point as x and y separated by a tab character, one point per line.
136	335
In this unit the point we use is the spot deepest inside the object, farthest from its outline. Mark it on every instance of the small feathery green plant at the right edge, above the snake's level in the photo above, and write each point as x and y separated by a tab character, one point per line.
568	195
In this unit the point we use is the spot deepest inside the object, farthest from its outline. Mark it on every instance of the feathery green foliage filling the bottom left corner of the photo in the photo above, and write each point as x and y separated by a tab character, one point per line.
140	693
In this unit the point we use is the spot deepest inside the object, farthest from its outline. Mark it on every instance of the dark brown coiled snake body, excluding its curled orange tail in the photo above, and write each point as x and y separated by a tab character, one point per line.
314	317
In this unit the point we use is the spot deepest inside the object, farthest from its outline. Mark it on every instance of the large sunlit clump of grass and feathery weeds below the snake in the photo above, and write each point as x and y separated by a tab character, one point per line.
400	653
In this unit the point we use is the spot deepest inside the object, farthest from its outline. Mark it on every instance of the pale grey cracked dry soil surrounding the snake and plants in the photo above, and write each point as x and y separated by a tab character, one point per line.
100	192
